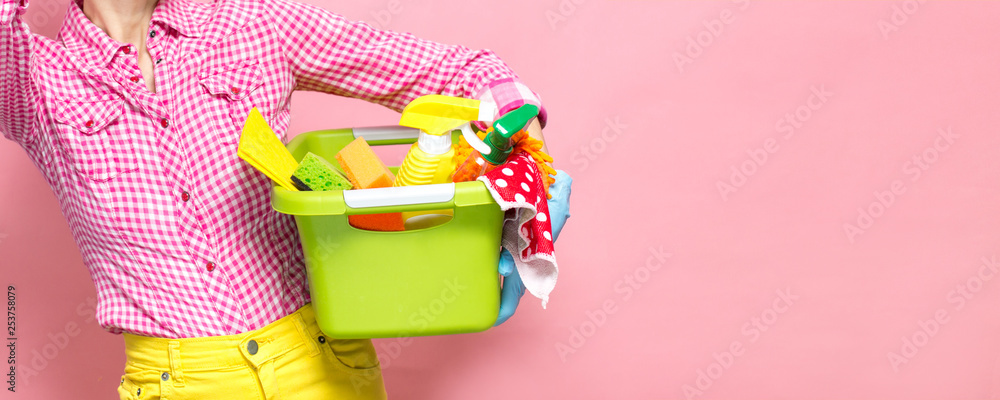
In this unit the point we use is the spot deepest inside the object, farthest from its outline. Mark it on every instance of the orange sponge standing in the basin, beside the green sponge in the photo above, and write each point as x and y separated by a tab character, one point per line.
366	171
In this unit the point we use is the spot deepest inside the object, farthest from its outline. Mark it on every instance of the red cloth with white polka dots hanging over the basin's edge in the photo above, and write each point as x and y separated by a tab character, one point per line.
527	230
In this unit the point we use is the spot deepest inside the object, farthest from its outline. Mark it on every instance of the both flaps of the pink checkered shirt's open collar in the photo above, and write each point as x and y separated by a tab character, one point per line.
82	37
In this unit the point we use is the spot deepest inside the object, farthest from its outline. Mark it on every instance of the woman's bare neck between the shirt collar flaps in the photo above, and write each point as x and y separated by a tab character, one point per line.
123	20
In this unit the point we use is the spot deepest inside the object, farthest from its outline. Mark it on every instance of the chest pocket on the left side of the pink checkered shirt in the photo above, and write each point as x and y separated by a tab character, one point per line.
95	137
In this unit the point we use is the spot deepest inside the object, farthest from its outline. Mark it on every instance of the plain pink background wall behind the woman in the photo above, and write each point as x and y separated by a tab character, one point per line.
653	184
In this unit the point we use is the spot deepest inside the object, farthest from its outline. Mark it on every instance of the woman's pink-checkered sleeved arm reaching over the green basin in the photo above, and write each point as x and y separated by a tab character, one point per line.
333	55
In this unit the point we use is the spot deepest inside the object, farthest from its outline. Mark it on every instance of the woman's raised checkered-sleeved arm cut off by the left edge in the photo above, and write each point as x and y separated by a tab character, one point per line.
17	105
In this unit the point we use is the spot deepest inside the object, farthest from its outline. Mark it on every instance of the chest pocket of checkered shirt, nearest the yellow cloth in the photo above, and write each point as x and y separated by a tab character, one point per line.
235	90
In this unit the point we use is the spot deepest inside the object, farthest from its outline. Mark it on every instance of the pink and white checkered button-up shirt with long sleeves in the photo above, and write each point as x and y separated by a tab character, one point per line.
177	231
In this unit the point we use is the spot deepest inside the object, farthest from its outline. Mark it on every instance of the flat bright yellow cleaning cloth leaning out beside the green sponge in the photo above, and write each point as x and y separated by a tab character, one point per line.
260	147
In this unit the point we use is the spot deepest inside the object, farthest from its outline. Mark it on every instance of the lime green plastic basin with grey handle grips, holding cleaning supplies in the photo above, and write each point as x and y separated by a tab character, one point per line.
366	284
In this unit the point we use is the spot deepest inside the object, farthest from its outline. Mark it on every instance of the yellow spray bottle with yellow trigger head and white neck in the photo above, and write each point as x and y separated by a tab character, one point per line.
429	161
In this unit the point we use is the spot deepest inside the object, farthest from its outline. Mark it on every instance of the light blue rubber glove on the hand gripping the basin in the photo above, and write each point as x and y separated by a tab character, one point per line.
513	287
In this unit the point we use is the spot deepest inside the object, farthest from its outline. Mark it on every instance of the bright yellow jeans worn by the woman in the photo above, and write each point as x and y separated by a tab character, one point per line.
289	359
